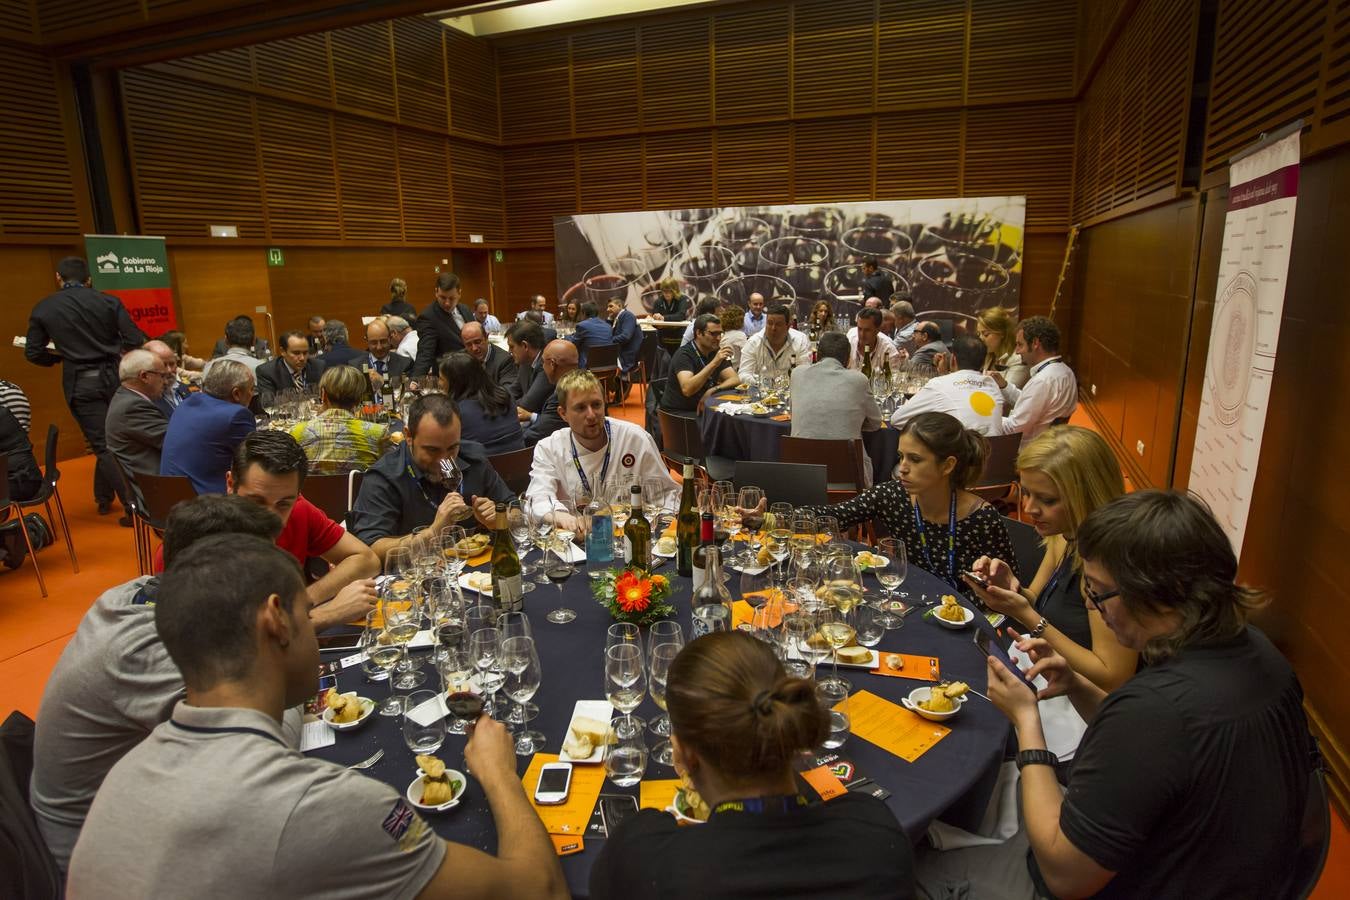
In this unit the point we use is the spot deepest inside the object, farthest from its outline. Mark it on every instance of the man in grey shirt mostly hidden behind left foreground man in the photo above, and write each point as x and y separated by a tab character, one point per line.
115	682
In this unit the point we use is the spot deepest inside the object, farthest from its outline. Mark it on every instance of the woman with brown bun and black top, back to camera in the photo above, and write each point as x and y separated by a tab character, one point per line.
738	723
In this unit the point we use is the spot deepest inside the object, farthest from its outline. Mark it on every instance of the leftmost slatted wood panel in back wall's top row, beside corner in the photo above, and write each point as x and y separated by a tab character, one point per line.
535	90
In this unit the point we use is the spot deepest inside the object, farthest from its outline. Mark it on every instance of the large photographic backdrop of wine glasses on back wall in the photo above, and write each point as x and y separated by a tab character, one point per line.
944	256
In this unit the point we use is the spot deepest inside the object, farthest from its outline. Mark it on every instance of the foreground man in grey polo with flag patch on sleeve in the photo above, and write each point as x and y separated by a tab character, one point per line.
215	805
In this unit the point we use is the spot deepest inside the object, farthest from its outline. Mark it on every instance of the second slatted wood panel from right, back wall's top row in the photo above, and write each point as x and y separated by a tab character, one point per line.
921	45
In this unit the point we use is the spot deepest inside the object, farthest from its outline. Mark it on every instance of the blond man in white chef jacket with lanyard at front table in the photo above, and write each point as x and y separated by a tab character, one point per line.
592	451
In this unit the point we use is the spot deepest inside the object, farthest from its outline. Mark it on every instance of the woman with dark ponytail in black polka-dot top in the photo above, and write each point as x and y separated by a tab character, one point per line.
939	461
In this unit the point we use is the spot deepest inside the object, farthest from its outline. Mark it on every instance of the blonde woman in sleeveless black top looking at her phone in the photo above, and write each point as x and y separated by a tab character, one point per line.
1066	473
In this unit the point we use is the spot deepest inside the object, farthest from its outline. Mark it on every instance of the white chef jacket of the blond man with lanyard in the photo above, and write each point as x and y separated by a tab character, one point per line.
631	453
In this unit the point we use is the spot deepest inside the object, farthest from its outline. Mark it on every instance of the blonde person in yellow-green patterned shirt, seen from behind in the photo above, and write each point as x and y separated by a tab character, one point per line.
335	441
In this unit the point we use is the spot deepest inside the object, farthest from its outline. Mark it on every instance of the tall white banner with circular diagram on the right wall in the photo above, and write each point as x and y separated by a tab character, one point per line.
1249	302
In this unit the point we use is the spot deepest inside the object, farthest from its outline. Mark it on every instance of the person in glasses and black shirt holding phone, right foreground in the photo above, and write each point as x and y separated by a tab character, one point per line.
1193	778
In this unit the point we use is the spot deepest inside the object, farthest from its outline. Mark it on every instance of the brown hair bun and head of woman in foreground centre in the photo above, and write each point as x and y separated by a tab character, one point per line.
732	704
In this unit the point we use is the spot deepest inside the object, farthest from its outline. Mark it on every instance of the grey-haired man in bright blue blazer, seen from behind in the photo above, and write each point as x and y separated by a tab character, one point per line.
207	427
